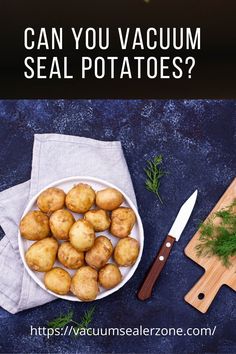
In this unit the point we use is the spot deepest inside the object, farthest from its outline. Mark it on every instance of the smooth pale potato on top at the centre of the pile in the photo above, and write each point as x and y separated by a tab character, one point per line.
82	235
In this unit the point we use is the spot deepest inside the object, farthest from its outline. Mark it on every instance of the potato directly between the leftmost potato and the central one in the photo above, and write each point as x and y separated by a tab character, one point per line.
60	223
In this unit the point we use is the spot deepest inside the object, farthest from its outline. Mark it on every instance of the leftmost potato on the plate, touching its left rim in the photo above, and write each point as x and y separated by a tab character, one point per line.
34	226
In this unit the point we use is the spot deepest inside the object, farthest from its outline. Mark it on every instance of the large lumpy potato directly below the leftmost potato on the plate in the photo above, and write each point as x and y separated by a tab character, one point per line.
42	254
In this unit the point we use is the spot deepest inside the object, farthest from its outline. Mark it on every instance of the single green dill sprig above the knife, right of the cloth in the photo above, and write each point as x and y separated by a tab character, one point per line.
154	173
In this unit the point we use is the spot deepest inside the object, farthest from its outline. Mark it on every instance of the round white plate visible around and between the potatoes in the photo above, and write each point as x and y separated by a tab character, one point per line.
137	233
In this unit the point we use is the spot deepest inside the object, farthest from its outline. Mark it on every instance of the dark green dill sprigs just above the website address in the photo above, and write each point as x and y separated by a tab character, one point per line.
64	320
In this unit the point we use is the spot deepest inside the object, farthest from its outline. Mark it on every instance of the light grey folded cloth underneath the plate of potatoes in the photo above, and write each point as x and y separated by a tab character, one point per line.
54	157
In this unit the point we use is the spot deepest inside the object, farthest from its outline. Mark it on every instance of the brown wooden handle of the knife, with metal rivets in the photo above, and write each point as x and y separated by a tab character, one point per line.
145	291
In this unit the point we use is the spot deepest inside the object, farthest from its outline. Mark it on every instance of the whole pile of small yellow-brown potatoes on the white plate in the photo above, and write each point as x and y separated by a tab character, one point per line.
74	244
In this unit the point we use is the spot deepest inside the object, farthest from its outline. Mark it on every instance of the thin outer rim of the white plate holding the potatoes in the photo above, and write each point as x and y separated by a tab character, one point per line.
132	270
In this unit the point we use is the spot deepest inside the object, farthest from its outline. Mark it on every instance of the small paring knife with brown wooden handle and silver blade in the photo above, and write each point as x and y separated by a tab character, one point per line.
174	234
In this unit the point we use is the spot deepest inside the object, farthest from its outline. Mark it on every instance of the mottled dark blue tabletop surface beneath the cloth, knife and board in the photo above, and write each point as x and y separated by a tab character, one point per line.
197	140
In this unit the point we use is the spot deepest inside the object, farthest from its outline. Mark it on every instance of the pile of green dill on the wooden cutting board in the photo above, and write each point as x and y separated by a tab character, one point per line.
218	235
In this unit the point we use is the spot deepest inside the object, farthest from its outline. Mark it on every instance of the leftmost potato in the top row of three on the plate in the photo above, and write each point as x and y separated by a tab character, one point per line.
51	199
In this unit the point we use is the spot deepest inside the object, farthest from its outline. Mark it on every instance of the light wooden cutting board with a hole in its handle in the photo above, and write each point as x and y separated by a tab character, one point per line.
216	274
